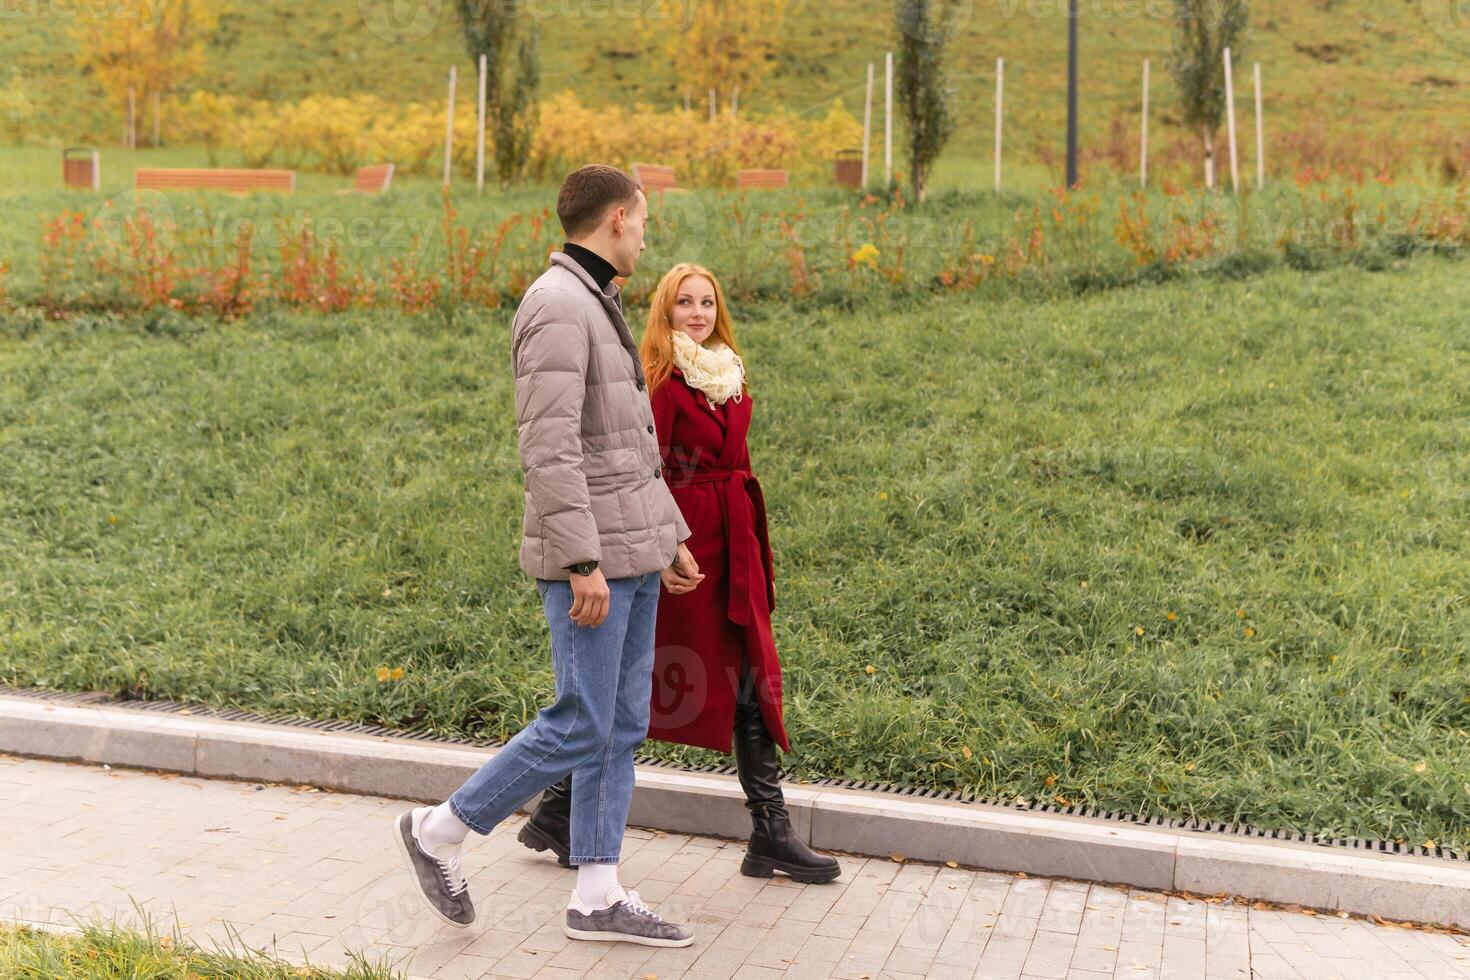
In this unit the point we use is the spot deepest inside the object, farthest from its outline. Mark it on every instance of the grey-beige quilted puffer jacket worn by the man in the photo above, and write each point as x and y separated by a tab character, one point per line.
589	452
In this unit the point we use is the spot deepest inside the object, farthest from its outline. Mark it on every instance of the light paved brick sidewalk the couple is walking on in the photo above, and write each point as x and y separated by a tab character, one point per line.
315	875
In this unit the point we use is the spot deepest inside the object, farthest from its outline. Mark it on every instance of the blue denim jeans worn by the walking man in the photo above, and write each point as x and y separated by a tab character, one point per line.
600	718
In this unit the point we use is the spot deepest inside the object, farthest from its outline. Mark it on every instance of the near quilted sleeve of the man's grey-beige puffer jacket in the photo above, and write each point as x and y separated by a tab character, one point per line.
551	355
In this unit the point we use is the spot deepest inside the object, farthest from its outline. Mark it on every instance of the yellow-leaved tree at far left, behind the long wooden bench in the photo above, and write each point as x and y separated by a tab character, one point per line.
145	49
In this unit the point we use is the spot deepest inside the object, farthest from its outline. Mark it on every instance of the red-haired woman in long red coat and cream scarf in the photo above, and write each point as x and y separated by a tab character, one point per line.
717	674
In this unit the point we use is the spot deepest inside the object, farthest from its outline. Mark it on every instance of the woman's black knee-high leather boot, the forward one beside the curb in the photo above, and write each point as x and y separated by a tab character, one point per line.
774	846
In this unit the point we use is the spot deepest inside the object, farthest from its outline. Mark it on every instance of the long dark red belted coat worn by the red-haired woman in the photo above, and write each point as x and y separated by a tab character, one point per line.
703	635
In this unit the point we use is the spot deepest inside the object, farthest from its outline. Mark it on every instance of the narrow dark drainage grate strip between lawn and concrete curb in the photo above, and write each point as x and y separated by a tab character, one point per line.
894	790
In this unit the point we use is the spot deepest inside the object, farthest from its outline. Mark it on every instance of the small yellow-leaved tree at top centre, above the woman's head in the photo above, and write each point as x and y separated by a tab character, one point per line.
724	46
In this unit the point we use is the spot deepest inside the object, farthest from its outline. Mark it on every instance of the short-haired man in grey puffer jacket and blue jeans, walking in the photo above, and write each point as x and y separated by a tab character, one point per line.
600	534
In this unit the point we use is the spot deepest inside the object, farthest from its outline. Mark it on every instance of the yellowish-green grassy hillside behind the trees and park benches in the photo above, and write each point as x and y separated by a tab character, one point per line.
1344	76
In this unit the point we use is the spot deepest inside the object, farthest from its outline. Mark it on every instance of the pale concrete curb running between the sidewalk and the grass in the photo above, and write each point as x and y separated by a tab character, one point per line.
1391	887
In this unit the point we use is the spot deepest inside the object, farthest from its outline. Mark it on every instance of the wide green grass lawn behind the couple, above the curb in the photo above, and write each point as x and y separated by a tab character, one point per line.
1196	549
